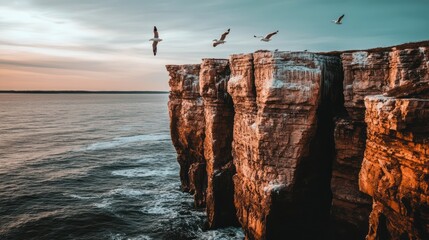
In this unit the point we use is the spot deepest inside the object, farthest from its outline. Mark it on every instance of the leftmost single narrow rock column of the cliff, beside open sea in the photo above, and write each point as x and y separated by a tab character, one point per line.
187	126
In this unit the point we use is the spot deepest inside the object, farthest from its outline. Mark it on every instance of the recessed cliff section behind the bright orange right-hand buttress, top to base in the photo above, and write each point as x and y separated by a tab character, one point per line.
396	71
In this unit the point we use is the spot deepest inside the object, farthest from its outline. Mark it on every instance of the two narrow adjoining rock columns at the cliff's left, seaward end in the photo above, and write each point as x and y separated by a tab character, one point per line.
202	117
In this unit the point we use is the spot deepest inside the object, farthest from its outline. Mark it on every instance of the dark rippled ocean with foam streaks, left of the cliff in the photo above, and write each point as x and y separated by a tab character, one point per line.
93	166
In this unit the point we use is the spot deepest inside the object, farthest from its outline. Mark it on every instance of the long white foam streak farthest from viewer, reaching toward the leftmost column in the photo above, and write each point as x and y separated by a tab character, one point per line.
116	142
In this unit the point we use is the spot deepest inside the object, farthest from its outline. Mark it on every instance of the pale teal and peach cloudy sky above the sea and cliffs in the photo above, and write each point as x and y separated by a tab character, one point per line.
104	44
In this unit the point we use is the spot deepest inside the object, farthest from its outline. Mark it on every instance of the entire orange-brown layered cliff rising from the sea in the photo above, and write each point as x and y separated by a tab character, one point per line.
307	145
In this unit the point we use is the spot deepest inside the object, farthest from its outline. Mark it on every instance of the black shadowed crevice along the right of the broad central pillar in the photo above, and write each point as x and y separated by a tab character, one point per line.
304	213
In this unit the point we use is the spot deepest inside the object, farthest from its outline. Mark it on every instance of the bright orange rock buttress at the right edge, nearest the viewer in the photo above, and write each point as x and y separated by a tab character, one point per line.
395	170
